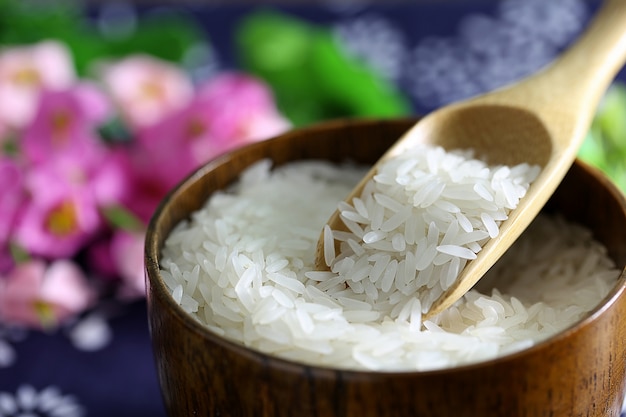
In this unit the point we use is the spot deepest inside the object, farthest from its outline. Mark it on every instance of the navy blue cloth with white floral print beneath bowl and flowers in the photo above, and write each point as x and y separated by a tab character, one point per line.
119	379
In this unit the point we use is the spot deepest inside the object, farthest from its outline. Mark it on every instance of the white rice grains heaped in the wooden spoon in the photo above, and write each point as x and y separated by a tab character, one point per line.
455	203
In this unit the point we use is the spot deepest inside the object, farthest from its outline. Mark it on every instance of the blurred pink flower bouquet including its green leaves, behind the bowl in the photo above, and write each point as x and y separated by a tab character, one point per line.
100	116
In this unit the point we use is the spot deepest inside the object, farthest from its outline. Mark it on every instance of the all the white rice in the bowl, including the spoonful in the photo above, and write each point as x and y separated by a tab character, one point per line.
243	265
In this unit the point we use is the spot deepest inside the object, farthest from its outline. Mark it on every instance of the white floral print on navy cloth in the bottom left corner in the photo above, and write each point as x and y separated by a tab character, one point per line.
49	402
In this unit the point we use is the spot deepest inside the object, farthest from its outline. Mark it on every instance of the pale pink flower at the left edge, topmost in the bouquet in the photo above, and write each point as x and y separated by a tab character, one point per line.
25	72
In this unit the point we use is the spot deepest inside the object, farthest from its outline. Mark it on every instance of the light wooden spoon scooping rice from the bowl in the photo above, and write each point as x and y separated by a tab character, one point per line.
541	120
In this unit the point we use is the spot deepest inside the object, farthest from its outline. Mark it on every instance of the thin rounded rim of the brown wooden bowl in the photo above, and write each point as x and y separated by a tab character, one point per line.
156	285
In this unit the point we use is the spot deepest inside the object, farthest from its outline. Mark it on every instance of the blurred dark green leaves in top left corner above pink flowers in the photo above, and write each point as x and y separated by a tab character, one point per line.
164	35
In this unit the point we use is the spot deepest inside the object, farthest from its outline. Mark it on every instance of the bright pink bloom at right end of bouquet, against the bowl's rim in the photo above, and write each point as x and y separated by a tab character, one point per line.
230	111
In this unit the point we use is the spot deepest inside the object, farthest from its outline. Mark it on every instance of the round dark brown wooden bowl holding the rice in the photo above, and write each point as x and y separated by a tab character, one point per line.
581	371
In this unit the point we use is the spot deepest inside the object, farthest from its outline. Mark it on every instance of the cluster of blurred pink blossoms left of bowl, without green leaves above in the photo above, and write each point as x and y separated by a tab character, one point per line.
84	162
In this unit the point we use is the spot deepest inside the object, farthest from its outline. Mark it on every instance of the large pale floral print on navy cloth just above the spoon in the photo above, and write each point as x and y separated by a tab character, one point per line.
489	52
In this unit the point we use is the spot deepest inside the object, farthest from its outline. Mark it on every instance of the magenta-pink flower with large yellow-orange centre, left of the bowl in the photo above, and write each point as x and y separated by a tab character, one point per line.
67	197
